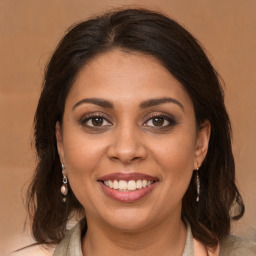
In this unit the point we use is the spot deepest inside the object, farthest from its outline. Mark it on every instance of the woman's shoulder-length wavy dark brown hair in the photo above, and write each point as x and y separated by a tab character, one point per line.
151	33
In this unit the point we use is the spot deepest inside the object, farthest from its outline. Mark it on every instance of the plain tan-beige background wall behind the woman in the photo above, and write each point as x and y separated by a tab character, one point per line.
30	30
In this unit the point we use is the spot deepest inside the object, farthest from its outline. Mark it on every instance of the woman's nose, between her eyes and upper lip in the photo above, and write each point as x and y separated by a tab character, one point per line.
127	146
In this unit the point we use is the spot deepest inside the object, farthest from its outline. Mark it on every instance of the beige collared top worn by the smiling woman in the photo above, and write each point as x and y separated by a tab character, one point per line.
231	246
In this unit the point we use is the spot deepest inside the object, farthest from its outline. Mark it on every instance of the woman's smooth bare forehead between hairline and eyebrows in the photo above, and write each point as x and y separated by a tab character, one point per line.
126	77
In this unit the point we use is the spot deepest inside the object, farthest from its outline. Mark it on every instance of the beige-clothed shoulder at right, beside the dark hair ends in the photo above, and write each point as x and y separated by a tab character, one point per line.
236	246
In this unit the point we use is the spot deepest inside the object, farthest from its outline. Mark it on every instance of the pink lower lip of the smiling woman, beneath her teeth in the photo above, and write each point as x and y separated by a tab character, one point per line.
129	196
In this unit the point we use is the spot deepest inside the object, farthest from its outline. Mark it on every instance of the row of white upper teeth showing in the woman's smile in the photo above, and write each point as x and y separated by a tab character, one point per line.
130	185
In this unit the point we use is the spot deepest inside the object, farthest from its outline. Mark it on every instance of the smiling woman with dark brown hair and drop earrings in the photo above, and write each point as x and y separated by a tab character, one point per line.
132	134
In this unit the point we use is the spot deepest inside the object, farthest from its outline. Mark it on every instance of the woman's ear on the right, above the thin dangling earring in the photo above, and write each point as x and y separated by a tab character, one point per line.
202	143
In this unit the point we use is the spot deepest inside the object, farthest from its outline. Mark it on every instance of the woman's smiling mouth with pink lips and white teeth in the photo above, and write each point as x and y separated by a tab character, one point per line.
127	187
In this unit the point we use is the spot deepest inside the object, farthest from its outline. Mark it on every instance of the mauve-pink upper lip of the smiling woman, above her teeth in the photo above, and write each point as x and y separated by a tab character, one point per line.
127	176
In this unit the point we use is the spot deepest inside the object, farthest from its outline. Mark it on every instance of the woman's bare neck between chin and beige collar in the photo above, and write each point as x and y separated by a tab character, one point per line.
167	238
